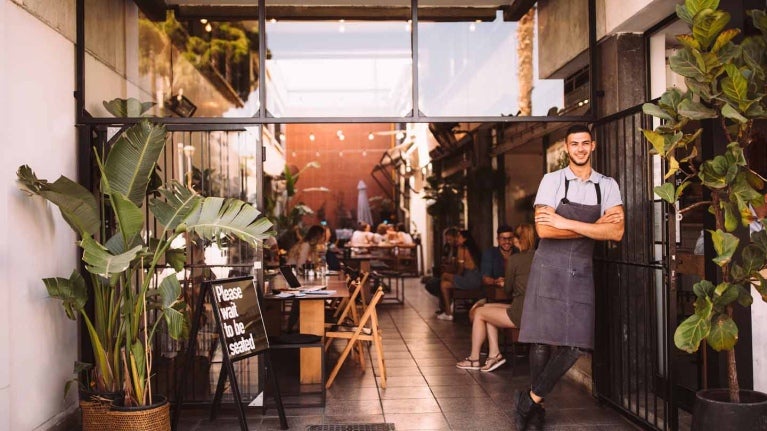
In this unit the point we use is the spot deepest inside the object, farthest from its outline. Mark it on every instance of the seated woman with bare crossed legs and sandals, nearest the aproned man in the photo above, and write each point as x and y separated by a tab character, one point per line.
492	316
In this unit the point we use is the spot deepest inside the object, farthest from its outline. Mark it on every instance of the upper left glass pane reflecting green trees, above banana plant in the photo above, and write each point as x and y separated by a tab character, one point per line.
187	67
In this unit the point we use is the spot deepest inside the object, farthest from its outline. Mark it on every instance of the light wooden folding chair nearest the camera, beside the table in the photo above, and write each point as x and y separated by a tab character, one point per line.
368	323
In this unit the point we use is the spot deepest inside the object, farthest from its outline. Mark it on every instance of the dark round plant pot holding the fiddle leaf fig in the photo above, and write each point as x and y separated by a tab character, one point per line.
714	411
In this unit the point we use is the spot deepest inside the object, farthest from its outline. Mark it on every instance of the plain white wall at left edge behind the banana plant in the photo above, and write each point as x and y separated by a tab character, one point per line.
38	344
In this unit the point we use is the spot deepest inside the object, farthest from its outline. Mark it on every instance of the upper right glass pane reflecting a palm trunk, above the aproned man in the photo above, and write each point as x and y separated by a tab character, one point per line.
494	67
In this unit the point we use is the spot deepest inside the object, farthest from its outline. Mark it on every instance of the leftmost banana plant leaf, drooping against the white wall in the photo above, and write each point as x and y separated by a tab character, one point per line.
78	206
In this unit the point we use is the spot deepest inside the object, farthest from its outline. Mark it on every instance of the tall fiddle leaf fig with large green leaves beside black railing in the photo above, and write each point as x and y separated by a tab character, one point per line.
725	82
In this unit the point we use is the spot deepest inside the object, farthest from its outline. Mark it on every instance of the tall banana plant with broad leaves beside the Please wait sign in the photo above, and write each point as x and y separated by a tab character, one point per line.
130	303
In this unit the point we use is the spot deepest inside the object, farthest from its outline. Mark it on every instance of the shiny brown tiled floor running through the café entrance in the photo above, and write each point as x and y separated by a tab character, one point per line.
425	391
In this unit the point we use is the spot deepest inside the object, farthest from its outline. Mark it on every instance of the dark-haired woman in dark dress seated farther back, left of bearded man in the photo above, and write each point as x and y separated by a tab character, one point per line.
467	275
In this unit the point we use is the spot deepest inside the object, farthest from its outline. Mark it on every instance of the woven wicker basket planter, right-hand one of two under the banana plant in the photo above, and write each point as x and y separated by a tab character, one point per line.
154	417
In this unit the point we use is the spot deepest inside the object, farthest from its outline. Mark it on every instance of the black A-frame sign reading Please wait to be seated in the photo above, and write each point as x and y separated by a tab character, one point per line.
242	334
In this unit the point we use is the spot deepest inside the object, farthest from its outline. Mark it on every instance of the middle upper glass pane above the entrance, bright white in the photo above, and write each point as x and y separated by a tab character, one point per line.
339	67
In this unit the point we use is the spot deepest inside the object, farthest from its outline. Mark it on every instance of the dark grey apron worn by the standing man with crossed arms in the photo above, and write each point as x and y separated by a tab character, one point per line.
559	304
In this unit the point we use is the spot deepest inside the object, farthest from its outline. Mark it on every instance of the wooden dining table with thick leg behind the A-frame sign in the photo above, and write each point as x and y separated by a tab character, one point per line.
311	318
